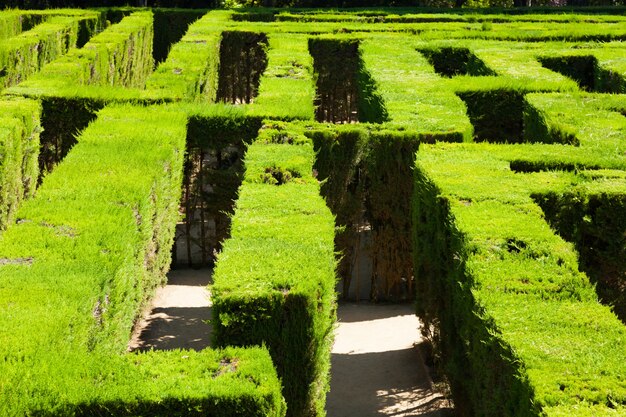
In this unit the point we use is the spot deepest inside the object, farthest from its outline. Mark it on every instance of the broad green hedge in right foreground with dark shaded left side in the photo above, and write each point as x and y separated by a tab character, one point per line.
519	328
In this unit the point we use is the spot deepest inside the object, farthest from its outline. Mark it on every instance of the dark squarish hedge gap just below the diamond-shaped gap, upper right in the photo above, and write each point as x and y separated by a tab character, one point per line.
497	115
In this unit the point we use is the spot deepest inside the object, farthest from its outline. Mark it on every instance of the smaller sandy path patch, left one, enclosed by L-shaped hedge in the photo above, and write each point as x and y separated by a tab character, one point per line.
179	314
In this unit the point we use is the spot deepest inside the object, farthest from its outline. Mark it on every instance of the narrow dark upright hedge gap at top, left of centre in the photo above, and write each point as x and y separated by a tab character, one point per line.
243	59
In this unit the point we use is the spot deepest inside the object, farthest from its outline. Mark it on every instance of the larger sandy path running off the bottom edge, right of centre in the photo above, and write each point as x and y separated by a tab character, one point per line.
376	368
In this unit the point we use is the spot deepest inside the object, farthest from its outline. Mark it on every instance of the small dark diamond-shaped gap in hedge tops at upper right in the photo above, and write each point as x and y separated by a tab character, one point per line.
452	61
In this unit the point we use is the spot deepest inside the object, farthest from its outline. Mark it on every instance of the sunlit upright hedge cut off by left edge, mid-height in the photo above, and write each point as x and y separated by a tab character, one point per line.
19	169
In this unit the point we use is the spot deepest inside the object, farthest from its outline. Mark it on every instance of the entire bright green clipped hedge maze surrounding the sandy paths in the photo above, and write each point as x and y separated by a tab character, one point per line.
477	161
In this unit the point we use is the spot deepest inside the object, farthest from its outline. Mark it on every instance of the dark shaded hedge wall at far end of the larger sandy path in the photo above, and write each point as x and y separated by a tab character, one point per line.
356	166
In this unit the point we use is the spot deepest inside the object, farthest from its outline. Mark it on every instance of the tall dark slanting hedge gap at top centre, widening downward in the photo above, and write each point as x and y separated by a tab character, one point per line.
346	92
